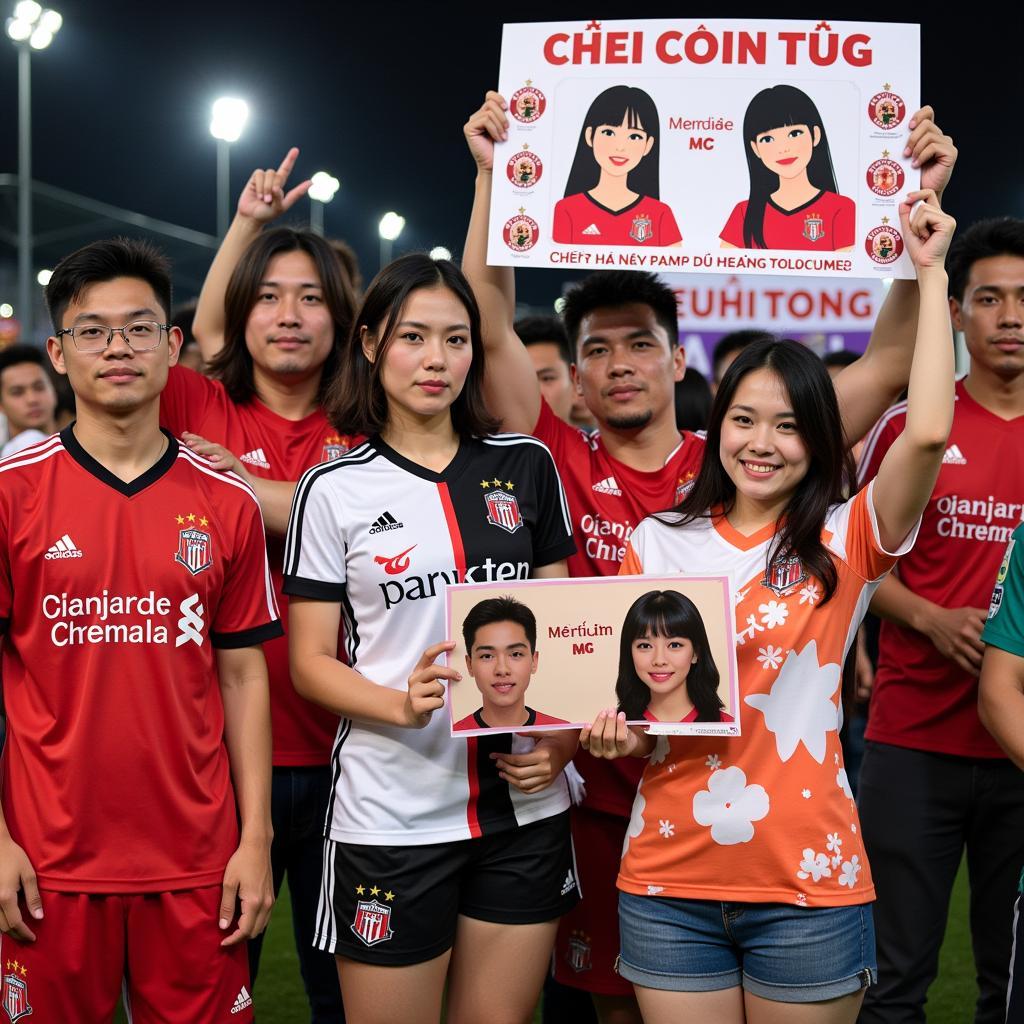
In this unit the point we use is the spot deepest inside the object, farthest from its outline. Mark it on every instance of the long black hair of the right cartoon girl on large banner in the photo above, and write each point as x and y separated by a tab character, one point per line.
781	107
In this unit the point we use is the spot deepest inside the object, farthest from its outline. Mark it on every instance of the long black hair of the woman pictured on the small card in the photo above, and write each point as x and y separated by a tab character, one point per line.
667	614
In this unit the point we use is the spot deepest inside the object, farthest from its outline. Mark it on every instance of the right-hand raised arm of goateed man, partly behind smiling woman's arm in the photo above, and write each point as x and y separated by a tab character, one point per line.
867	389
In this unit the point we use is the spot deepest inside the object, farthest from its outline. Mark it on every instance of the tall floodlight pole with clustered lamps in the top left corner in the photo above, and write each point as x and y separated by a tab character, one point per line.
31	28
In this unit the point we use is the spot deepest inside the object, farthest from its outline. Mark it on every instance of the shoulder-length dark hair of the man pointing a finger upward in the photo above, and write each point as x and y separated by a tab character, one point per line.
234	364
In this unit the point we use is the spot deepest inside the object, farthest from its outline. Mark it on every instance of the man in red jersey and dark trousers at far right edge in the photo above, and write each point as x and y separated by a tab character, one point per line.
933	781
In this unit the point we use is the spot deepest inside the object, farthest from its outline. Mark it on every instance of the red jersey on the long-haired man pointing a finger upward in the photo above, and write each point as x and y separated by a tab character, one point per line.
277	450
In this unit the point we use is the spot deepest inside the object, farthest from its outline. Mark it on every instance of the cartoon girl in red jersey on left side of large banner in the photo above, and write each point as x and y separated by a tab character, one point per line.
612	196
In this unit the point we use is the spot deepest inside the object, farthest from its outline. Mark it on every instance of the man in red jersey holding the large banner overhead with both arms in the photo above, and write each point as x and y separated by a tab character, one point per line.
624	332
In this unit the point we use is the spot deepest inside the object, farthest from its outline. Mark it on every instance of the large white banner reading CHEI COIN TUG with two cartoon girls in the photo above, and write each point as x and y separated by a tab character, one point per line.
713	147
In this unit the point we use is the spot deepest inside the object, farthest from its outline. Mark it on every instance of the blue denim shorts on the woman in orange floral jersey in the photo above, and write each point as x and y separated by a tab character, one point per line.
781	953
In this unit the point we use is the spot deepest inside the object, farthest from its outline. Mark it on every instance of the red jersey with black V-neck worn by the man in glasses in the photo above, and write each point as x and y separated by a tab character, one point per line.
113	600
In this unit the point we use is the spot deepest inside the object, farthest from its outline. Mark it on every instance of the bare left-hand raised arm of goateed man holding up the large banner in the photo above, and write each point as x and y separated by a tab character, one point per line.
510	383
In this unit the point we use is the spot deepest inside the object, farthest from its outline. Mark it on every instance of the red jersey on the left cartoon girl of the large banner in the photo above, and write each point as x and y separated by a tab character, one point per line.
581	221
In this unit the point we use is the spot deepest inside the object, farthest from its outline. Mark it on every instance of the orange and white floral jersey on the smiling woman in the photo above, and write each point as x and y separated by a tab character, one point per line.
767	817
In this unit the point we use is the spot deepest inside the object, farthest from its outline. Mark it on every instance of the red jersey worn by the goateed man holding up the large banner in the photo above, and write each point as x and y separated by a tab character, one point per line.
608	500
